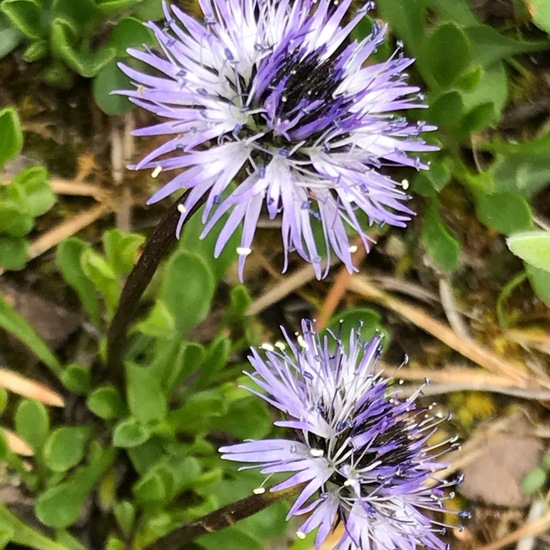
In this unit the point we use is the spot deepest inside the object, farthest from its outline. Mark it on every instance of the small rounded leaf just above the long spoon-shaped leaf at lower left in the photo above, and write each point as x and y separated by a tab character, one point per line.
64	447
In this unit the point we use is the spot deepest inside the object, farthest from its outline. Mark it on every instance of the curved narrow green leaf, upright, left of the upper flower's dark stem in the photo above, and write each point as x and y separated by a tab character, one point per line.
69	260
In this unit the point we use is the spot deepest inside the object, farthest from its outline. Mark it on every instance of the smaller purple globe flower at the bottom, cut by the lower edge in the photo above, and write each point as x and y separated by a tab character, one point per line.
358	454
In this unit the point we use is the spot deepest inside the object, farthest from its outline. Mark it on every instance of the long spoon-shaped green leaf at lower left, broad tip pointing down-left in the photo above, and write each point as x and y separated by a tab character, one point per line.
60	505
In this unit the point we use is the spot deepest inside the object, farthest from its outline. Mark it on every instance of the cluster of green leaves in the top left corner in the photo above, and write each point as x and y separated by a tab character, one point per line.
84	37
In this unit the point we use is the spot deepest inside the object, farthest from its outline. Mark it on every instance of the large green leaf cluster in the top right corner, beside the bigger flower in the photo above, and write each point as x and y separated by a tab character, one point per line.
467	67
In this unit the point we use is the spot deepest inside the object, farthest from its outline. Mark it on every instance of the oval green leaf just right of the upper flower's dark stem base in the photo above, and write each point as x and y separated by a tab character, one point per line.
145	397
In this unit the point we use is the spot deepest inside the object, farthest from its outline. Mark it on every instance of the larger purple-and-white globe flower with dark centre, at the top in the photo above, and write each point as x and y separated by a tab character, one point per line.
273	96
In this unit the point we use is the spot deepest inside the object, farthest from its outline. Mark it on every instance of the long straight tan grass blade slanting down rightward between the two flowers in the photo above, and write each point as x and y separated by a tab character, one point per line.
466	347
